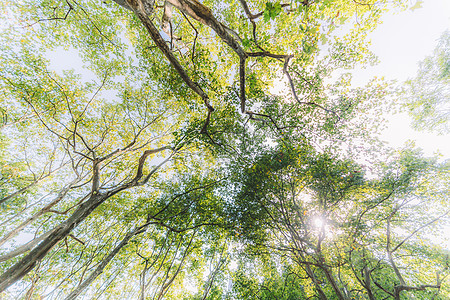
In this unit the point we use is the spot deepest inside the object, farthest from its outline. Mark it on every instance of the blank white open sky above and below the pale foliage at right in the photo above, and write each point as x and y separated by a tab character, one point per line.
401	42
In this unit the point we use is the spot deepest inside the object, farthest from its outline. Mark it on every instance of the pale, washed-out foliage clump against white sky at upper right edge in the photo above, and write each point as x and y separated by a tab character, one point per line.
426	96
